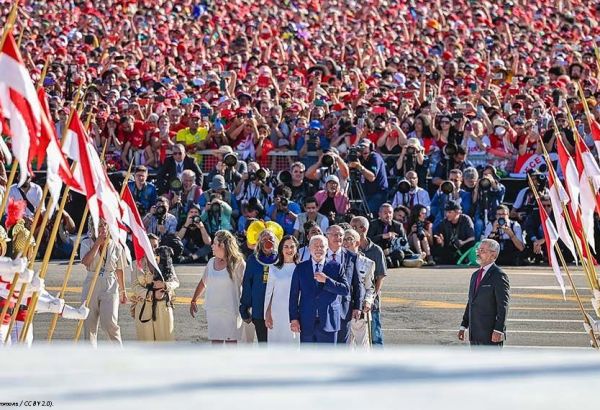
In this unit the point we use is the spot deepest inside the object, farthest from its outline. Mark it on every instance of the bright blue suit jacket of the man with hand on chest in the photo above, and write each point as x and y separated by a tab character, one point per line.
307	297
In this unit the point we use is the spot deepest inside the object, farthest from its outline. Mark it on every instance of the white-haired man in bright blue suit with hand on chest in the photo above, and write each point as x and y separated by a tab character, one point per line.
315	296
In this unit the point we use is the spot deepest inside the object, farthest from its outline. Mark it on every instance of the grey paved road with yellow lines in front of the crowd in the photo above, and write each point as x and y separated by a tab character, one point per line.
420	306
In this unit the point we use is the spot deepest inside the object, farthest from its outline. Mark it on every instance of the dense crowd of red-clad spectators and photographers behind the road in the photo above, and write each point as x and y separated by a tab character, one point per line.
314	113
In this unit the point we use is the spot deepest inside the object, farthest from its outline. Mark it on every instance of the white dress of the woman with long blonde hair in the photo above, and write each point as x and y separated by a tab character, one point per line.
222	301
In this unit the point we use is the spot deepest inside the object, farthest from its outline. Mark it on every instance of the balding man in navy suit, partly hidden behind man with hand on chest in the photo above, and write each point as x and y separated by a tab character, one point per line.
351	304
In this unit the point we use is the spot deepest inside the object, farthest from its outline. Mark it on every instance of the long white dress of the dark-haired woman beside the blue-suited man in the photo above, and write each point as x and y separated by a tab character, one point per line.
278	292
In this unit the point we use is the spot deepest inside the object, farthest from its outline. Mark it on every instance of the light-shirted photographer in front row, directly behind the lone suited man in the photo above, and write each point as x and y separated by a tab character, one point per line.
509	235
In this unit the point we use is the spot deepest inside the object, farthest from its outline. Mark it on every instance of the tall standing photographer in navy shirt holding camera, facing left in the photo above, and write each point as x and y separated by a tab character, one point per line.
368	168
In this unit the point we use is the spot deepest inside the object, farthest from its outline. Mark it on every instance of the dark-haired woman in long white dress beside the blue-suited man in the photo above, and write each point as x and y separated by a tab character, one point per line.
277	296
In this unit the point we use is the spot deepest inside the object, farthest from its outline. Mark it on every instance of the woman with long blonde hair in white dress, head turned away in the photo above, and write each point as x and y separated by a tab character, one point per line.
222	280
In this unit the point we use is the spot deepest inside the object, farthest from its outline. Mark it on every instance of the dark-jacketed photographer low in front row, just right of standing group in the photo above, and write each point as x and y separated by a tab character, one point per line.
389	235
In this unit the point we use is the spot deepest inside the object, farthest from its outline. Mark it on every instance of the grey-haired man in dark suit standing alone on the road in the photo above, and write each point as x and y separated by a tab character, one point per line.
487	306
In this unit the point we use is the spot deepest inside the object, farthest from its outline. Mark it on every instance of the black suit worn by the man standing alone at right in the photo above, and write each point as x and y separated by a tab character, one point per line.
487	308
